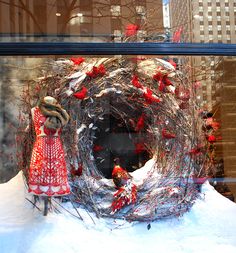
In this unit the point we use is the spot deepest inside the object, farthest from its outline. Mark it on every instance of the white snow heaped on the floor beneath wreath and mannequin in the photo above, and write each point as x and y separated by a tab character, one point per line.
209	227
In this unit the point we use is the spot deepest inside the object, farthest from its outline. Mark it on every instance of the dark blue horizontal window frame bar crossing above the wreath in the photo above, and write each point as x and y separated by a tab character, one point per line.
101	48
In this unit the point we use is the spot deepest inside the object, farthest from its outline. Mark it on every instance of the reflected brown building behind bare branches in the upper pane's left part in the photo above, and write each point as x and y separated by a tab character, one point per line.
94	20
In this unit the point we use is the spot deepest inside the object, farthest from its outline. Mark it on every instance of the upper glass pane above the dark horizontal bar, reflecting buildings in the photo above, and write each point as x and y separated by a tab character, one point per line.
118	21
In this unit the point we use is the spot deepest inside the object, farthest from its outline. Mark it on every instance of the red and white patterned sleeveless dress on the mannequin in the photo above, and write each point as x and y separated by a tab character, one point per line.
48	173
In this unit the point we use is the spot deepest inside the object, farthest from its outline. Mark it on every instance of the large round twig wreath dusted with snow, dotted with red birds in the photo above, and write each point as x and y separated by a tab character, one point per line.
152	99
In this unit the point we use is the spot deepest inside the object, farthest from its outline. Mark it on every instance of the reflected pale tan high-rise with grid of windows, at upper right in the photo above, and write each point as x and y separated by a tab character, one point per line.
204	22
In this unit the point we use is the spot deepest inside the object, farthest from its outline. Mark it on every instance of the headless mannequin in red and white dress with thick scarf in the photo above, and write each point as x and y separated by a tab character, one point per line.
48	173
